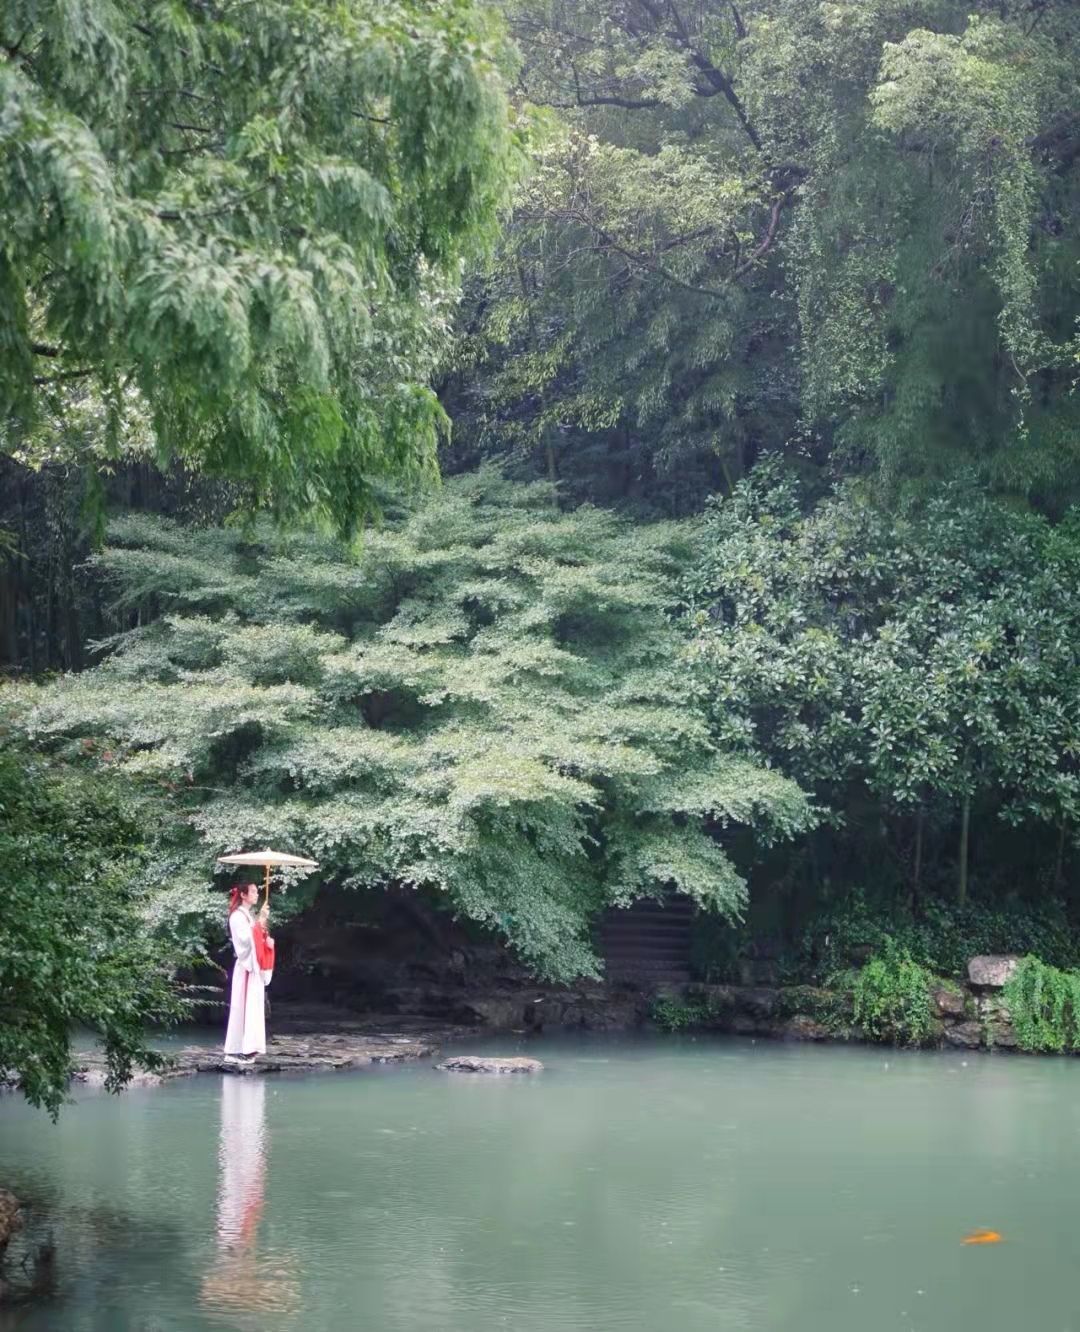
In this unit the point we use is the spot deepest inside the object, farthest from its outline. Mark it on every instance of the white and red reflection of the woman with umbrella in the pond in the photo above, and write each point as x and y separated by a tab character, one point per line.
243	1283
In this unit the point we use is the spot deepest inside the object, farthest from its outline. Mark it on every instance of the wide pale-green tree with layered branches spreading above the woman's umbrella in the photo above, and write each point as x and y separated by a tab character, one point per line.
485	701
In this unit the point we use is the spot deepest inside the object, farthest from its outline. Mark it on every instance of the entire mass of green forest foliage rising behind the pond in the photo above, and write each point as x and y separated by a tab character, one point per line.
754	573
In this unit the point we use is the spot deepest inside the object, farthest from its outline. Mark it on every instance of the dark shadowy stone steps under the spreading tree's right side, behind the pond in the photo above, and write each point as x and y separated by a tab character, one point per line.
649	944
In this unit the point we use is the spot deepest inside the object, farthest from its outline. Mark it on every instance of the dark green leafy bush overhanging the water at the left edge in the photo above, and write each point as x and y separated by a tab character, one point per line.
94	922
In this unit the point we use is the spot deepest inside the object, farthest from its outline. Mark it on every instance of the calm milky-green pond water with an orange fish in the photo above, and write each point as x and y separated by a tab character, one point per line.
632	1186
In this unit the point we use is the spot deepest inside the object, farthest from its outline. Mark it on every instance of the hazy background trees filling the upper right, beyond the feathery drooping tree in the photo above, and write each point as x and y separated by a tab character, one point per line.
834	227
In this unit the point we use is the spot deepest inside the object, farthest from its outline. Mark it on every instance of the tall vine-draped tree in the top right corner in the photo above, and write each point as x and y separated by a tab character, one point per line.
936	246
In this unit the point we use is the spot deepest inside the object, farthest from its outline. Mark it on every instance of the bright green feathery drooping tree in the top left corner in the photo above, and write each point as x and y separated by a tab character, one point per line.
232	234
